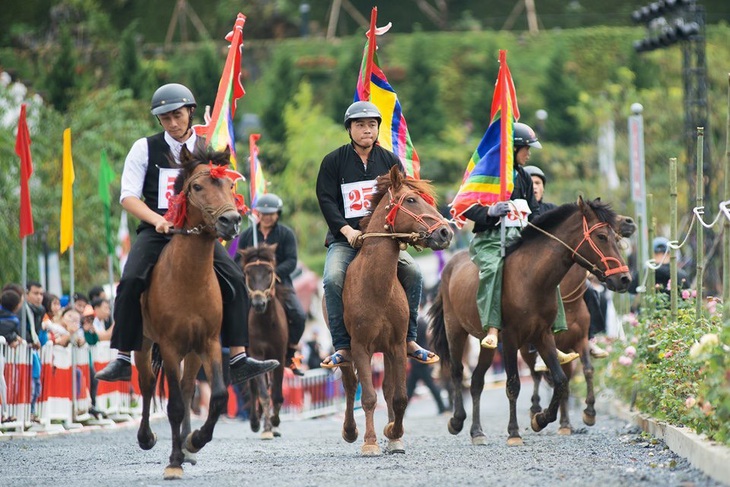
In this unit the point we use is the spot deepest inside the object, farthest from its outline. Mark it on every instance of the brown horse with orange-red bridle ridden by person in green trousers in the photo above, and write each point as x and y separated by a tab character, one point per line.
579	233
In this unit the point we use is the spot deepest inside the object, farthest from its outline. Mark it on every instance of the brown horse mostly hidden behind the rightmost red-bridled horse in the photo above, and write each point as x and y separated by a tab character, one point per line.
575	338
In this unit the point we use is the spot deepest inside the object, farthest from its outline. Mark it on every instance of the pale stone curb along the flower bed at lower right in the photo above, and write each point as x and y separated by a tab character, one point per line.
711	457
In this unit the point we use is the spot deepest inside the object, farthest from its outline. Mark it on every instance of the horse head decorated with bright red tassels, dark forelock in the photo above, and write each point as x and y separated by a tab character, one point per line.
204	200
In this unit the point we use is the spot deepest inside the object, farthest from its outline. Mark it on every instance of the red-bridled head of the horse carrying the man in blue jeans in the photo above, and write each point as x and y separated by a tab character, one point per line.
409	212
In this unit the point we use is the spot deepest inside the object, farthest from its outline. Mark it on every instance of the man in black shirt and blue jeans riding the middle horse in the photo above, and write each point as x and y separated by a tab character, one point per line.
346	176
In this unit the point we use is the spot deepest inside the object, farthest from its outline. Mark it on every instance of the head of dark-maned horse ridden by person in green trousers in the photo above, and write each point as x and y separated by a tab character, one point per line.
599	251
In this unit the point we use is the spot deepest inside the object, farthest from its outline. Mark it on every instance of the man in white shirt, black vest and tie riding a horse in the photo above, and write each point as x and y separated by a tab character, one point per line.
151	165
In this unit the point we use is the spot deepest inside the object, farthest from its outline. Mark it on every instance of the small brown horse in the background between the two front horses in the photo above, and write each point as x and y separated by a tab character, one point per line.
269	334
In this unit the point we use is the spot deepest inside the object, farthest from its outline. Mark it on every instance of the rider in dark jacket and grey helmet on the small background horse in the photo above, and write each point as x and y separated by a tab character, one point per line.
269	231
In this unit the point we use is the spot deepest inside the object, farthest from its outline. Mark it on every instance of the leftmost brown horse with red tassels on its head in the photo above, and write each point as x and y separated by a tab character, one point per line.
182	307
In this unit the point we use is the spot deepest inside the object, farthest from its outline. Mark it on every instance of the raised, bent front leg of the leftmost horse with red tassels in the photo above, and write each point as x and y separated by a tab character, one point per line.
218	397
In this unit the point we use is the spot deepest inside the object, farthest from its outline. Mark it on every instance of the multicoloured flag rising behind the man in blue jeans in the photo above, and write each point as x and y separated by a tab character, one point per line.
373	86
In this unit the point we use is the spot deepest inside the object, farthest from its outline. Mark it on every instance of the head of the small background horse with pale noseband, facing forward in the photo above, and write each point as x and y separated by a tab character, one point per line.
259	269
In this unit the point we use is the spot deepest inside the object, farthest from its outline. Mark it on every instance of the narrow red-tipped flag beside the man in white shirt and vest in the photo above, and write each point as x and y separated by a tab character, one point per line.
219	131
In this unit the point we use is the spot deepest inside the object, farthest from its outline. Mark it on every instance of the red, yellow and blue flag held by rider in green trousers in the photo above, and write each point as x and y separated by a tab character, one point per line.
489	175
